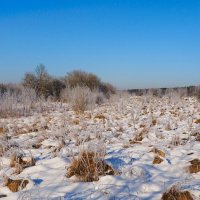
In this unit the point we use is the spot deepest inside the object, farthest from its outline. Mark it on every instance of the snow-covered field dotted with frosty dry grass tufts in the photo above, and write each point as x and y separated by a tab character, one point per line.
130	129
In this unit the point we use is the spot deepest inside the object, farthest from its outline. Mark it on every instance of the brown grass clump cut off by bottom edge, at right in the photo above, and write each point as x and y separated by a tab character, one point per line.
175	194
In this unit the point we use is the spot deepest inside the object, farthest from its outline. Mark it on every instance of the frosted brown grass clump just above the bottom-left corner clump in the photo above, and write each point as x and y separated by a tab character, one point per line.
18	162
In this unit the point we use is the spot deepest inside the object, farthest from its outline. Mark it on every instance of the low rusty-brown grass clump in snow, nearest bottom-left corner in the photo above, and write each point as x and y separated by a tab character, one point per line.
15	185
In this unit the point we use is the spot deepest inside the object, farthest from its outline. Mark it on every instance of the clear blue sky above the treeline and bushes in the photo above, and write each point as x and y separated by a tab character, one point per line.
130	43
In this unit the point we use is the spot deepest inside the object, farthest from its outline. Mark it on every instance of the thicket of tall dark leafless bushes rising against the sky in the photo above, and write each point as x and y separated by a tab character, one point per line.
45	85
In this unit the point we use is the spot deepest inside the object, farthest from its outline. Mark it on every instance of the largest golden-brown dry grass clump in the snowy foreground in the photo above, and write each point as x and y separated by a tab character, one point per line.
88	167
